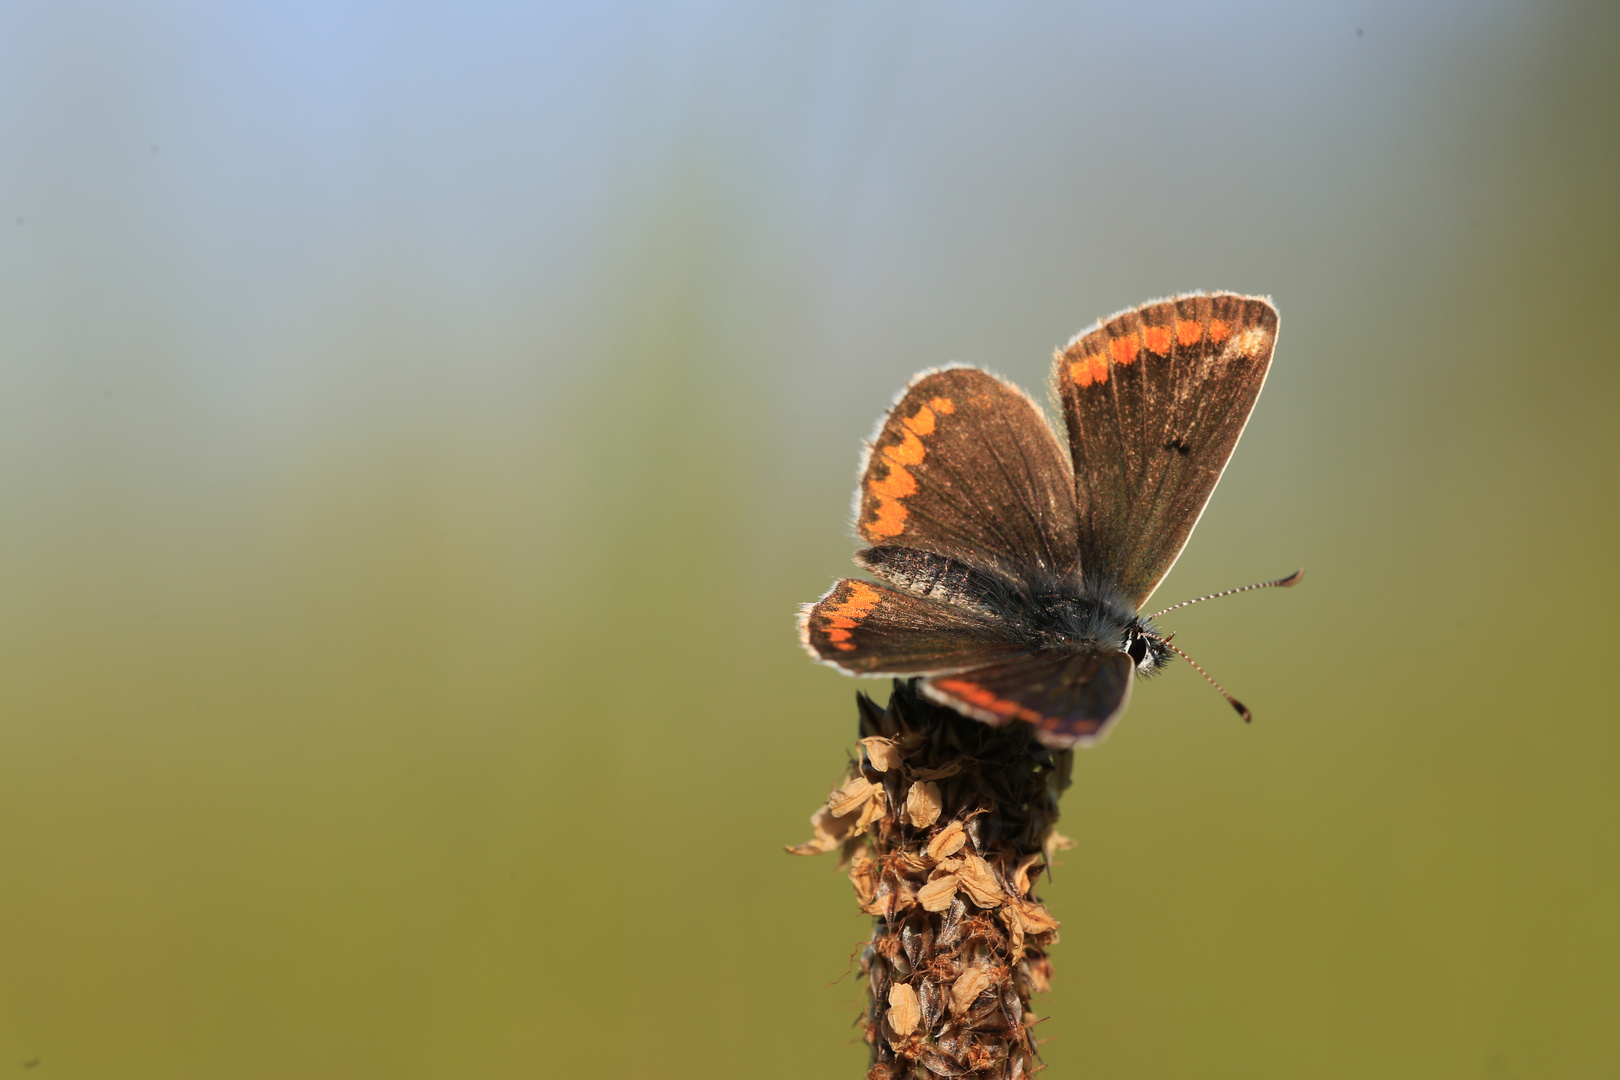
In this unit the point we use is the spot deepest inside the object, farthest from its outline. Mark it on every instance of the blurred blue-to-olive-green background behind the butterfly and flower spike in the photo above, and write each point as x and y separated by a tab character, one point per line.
419	425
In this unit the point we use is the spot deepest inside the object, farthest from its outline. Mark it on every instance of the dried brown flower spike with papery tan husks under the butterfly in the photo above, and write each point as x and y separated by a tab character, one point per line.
945	823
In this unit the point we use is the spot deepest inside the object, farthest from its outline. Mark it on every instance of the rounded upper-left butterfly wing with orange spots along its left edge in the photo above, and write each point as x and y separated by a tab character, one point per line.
965	466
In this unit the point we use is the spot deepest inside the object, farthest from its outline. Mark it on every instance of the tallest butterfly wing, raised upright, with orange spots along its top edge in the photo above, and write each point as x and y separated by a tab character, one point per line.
1156	401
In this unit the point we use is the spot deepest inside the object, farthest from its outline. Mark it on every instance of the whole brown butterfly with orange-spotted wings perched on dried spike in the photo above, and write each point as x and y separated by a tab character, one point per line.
1012	576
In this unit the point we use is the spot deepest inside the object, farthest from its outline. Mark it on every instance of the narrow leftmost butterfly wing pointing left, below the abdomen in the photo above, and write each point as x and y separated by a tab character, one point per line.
869	629
